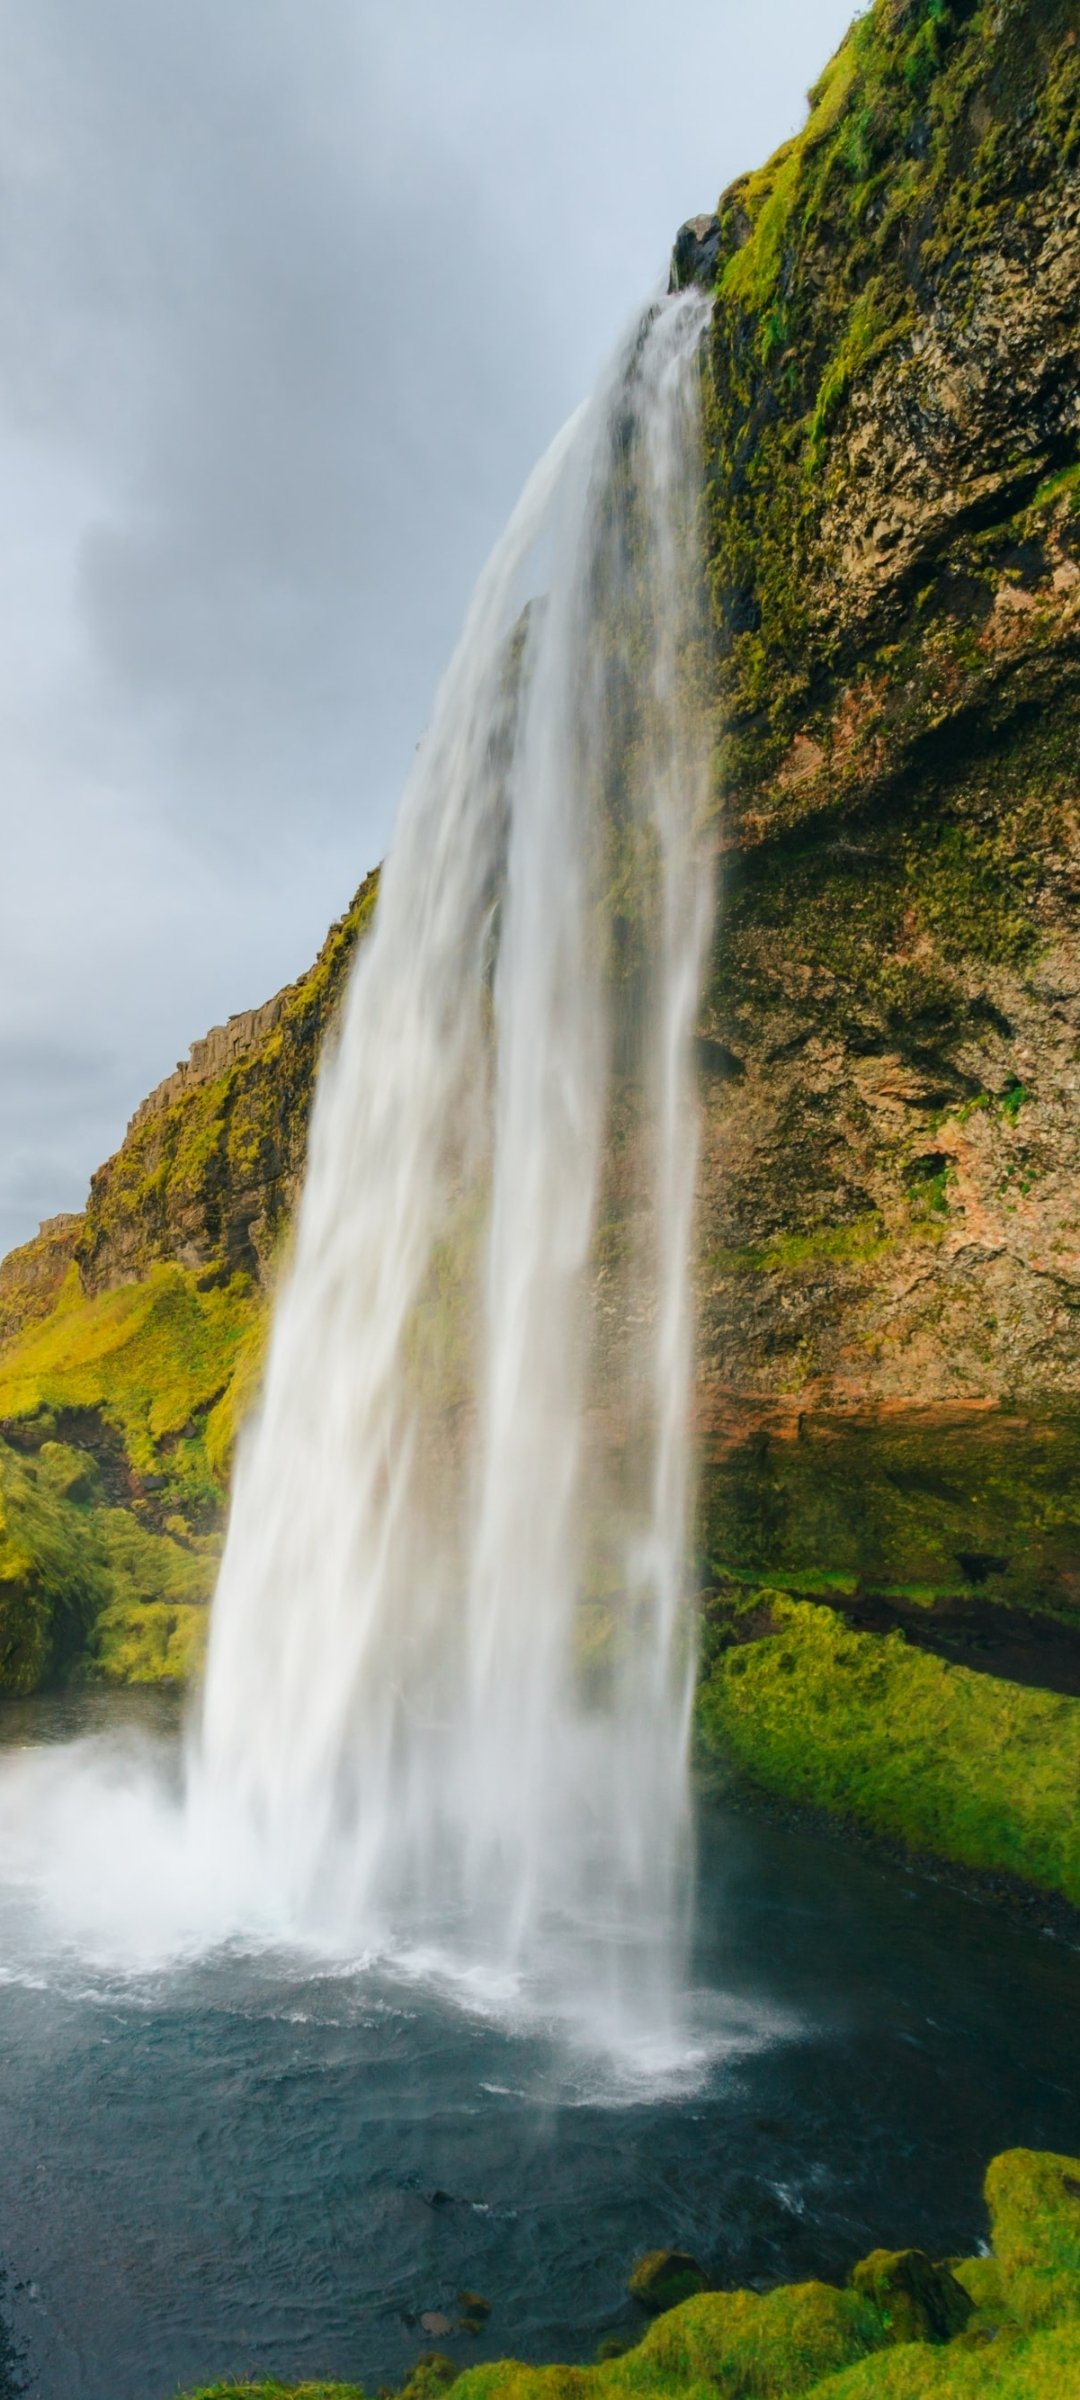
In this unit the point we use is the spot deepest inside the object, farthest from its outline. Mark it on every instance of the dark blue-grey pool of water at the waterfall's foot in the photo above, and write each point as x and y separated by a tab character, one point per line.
260	2168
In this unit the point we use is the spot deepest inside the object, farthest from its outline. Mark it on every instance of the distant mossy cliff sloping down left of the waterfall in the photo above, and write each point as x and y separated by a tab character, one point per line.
131	1345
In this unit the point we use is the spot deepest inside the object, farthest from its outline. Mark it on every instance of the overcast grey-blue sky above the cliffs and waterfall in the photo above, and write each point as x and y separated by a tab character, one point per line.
292	299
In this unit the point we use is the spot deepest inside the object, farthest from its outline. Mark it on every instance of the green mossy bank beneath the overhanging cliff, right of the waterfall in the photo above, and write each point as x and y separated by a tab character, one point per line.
894	1739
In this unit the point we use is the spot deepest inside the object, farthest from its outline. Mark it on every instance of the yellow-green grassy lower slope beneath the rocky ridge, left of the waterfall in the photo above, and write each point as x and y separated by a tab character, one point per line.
116	1417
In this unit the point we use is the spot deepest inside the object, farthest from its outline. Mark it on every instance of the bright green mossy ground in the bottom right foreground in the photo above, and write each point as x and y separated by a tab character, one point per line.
820	2344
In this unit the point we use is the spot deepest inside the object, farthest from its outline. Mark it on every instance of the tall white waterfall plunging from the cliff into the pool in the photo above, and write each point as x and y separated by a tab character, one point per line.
452	1648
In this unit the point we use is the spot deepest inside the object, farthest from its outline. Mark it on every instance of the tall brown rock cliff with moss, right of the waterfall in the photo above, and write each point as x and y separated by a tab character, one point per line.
892	1040
